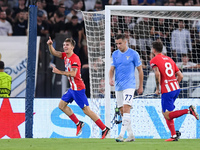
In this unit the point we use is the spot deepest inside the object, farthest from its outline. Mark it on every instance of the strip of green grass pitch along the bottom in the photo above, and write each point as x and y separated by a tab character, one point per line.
97	144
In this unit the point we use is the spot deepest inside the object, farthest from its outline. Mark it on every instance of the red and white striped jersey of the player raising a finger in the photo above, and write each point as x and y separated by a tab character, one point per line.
76	82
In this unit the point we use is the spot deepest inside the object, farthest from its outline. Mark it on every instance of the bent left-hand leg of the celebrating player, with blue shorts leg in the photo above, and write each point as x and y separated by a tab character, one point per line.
63	105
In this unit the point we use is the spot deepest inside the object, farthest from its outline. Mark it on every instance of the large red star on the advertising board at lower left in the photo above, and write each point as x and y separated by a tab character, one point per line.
10	121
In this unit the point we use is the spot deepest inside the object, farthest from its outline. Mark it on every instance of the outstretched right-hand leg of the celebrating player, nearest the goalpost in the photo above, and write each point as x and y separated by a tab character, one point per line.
82	101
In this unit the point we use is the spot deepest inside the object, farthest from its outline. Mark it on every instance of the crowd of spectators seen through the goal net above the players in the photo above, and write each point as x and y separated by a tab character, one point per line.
179	37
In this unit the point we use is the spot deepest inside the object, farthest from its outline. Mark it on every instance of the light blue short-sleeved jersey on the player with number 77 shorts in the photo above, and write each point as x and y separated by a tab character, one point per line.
125	64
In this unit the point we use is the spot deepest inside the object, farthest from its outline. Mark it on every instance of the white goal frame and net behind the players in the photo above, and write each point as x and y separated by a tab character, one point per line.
178	28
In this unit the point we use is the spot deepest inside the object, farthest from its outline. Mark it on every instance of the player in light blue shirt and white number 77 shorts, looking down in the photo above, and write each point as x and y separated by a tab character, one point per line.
124	62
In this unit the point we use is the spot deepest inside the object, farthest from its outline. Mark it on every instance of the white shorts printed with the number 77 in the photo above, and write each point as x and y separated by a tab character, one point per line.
125	97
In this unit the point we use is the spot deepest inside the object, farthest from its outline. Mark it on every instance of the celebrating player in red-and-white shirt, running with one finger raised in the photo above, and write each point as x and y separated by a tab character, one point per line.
77	90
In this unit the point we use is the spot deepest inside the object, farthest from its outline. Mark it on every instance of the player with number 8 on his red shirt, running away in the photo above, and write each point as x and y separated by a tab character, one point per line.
168	76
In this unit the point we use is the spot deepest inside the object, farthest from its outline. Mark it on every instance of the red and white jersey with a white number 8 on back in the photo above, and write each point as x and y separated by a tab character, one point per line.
168	69
